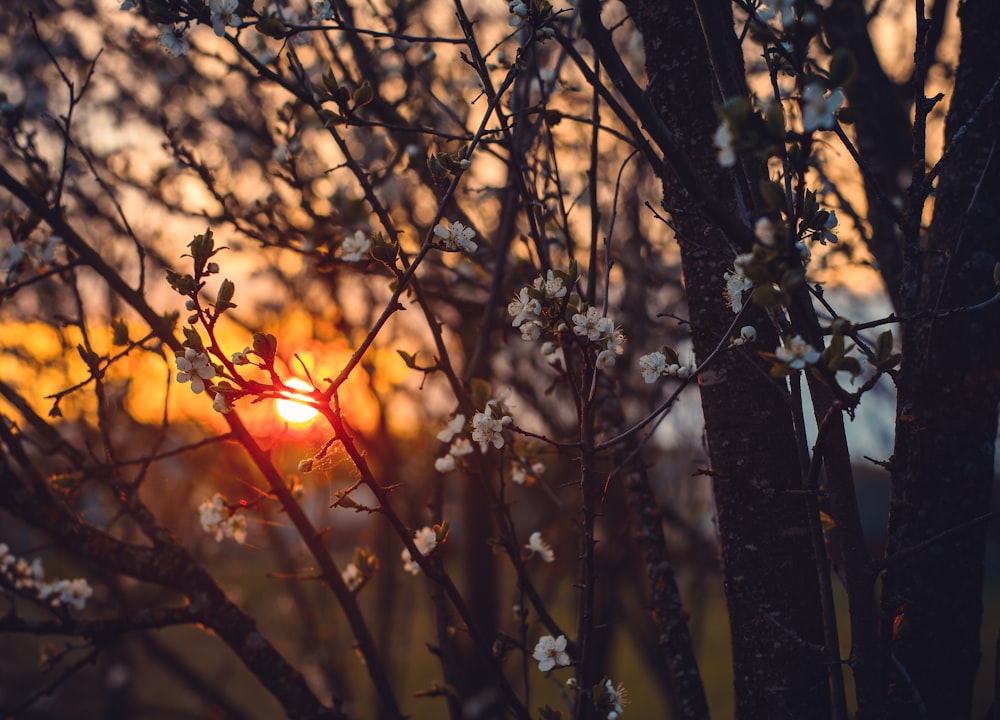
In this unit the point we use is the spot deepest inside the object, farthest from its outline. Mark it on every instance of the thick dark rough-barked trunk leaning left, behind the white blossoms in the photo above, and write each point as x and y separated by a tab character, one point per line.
770	571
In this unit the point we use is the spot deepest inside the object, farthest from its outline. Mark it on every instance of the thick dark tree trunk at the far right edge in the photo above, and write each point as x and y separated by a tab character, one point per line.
948	393
